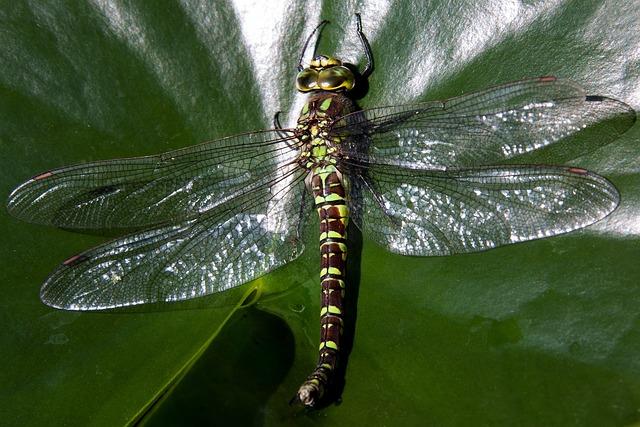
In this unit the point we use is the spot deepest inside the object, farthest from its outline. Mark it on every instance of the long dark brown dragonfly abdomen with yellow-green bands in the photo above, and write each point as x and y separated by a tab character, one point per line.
330	200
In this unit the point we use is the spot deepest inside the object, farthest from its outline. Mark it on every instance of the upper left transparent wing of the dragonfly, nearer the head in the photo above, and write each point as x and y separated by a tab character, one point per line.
142	192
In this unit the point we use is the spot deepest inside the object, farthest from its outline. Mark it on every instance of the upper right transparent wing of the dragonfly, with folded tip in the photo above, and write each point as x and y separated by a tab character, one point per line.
521	122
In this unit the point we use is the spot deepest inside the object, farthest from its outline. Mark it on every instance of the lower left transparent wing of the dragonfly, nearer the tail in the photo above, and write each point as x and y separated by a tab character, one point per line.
233	243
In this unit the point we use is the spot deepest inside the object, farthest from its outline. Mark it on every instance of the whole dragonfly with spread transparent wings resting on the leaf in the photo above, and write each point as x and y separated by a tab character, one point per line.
436	178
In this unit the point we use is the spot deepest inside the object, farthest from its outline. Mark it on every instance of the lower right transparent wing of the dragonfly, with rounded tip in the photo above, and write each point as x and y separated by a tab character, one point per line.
469	210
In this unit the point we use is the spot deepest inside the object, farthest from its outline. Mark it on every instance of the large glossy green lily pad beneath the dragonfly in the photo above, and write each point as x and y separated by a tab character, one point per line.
539	333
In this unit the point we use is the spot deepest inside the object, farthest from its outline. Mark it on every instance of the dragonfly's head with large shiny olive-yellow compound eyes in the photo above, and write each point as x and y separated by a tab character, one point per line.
325	73
